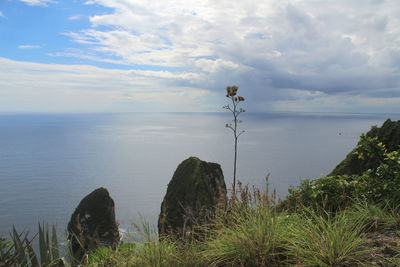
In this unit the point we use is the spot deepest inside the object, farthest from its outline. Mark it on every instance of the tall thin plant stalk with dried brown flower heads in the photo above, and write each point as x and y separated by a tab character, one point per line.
231	93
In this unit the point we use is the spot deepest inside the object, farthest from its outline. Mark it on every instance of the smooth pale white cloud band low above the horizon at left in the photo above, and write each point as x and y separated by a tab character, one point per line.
28	87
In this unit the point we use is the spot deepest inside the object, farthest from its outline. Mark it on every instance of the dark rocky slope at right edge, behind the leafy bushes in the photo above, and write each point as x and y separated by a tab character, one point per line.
388	134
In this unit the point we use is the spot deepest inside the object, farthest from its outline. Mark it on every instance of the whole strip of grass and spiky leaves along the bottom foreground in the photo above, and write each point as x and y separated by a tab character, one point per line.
251	231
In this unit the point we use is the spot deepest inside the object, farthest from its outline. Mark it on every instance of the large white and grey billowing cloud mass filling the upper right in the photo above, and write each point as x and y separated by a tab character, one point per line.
334	47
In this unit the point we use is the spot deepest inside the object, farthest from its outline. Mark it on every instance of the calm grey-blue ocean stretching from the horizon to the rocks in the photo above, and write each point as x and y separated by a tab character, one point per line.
48	163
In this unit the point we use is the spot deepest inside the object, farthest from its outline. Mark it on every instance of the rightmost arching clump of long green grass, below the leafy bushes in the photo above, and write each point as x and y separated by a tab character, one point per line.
327	240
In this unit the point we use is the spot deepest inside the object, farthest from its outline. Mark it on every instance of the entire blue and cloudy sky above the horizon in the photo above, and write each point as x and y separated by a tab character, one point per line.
179	55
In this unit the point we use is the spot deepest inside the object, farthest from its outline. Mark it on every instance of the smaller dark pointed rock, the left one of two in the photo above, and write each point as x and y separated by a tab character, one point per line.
93	224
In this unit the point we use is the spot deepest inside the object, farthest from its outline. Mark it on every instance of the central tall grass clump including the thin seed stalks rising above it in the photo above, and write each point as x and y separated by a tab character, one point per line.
249	233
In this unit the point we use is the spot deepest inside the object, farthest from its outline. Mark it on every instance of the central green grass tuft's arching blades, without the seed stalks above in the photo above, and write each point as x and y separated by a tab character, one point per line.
252	237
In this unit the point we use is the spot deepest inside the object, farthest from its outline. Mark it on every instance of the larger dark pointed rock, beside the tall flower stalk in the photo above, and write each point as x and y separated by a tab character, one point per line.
193	193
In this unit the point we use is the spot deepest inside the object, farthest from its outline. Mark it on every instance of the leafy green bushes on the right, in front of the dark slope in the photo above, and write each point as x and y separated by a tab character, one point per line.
376	185
